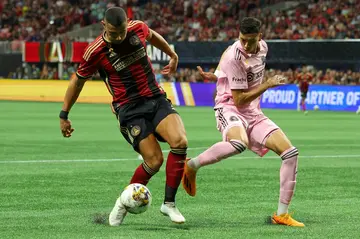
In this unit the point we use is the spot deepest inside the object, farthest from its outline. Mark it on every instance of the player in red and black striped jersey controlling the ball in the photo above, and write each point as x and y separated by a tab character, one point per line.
146	116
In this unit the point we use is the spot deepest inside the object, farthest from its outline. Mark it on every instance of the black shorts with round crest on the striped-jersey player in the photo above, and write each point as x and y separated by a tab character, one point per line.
139	120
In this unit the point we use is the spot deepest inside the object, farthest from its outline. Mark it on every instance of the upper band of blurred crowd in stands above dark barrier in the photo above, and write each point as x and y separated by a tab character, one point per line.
184	20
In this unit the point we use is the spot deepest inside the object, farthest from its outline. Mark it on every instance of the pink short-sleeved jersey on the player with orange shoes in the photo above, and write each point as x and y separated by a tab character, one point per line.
239	70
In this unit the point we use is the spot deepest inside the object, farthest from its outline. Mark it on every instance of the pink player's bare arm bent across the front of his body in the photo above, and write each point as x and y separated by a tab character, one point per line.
242	97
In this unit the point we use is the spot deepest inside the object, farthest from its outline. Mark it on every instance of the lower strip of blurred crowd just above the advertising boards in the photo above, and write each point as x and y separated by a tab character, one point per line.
308	73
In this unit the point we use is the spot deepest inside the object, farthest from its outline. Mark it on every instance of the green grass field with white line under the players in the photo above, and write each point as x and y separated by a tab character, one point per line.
51	186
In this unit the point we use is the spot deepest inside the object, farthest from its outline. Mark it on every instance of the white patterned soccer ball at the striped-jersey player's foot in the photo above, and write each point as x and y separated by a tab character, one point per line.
136	198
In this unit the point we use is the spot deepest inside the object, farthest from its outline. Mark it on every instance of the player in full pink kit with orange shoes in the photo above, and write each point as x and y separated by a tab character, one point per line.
240	83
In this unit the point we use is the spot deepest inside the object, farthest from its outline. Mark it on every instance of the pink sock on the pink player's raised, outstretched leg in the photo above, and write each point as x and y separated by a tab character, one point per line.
216	153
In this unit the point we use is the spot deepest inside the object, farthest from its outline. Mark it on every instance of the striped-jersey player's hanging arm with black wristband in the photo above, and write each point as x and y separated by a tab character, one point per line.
72	93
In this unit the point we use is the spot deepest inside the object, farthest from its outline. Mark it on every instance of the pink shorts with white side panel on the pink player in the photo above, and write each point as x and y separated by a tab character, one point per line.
258	127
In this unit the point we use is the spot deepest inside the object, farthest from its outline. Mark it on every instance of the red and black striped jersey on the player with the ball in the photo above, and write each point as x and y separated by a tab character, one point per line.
125	68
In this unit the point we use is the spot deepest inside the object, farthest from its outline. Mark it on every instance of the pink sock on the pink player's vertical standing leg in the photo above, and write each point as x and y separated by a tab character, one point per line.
288	172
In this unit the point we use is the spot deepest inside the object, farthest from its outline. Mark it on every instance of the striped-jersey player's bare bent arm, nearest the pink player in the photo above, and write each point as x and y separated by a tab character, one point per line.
159	42
